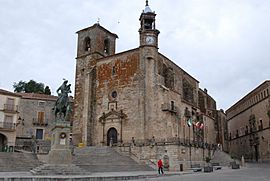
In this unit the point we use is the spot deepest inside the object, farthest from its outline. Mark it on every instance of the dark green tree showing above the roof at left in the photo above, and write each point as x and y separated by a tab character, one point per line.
31	87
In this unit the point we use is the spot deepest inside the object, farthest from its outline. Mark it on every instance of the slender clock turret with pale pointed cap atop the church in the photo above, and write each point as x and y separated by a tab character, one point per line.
148	31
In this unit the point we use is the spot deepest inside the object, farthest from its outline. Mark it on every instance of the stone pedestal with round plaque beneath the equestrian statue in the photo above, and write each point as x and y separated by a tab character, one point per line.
60	151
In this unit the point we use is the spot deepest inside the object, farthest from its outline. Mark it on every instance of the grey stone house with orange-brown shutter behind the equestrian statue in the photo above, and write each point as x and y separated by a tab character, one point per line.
37	120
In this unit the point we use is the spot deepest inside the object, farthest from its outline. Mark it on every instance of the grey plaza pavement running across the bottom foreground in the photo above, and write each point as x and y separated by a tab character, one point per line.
253	172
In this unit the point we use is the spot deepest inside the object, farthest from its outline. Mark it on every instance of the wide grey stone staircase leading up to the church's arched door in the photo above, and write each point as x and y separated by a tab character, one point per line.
105	159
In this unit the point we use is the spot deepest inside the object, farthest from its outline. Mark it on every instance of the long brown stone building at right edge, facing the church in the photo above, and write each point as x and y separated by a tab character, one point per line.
249	125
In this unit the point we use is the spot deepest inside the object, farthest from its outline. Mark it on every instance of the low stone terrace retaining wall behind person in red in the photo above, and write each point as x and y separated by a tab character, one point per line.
177	151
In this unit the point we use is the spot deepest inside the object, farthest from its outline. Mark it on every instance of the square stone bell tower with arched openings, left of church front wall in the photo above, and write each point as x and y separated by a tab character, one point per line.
94	43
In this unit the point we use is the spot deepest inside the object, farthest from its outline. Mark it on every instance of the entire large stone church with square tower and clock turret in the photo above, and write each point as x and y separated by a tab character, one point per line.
137	95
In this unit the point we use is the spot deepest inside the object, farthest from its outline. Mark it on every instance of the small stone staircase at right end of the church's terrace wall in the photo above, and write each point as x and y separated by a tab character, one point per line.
222	158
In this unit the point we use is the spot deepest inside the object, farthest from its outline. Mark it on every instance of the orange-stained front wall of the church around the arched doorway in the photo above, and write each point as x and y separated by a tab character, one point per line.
118	90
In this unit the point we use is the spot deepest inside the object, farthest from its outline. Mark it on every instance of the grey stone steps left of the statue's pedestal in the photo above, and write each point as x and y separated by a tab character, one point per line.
20	162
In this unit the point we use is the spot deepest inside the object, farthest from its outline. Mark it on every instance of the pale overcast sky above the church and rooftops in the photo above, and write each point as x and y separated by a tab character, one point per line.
225	44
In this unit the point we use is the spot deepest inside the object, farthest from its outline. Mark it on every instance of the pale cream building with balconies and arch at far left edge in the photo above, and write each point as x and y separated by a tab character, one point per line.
9	119
